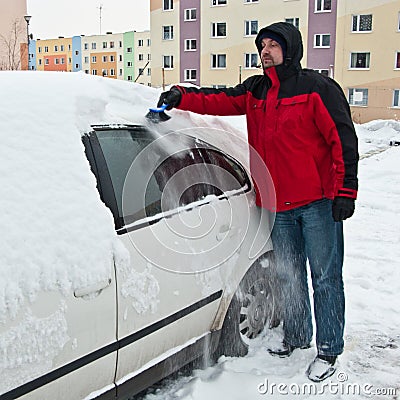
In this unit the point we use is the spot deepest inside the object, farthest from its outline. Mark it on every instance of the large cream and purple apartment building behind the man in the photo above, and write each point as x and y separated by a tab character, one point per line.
211	43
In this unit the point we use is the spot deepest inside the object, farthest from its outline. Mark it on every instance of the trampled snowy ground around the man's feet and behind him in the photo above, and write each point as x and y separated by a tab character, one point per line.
370	364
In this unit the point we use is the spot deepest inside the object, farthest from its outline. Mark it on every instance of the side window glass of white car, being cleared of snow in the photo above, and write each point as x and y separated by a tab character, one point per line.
150	177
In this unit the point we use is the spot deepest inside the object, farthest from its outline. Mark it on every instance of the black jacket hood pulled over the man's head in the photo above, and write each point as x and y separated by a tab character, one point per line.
294	46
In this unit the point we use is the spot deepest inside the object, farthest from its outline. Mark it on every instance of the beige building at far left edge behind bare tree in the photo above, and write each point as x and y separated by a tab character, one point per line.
13	35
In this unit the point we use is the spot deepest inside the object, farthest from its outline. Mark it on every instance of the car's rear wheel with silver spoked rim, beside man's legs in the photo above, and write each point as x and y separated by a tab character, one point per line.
253	308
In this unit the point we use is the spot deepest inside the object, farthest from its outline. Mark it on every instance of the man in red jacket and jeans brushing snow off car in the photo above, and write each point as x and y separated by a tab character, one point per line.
300	124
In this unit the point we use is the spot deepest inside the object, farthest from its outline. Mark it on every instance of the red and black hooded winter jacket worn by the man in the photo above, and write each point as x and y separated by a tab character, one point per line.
298	121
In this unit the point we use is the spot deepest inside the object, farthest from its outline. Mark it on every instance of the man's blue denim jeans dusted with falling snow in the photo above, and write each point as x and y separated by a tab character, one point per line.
309	232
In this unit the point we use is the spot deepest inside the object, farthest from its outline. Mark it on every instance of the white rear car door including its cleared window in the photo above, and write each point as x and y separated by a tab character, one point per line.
174	217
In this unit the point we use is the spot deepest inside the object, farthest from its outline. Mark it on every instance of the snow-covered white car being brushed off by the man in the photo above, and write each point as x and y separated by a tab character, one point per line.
189	273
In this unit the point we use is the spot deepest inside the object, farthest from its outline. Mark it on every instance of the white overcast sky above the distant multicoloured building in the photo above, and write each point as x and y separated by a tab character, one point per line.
51	18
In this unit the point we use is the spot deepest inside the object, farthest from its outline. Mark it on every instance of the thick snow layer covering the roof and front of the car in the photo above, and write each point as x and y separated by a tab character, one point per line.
56	232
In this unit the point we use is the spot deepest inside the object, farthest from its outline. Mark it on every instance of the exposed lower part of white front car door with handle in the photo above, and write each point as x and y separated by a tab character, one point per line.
62	346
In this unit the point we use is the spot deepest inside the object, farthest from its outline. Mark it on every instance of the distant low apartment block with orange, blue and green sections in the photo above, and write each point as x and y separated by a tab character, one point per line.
124	56
